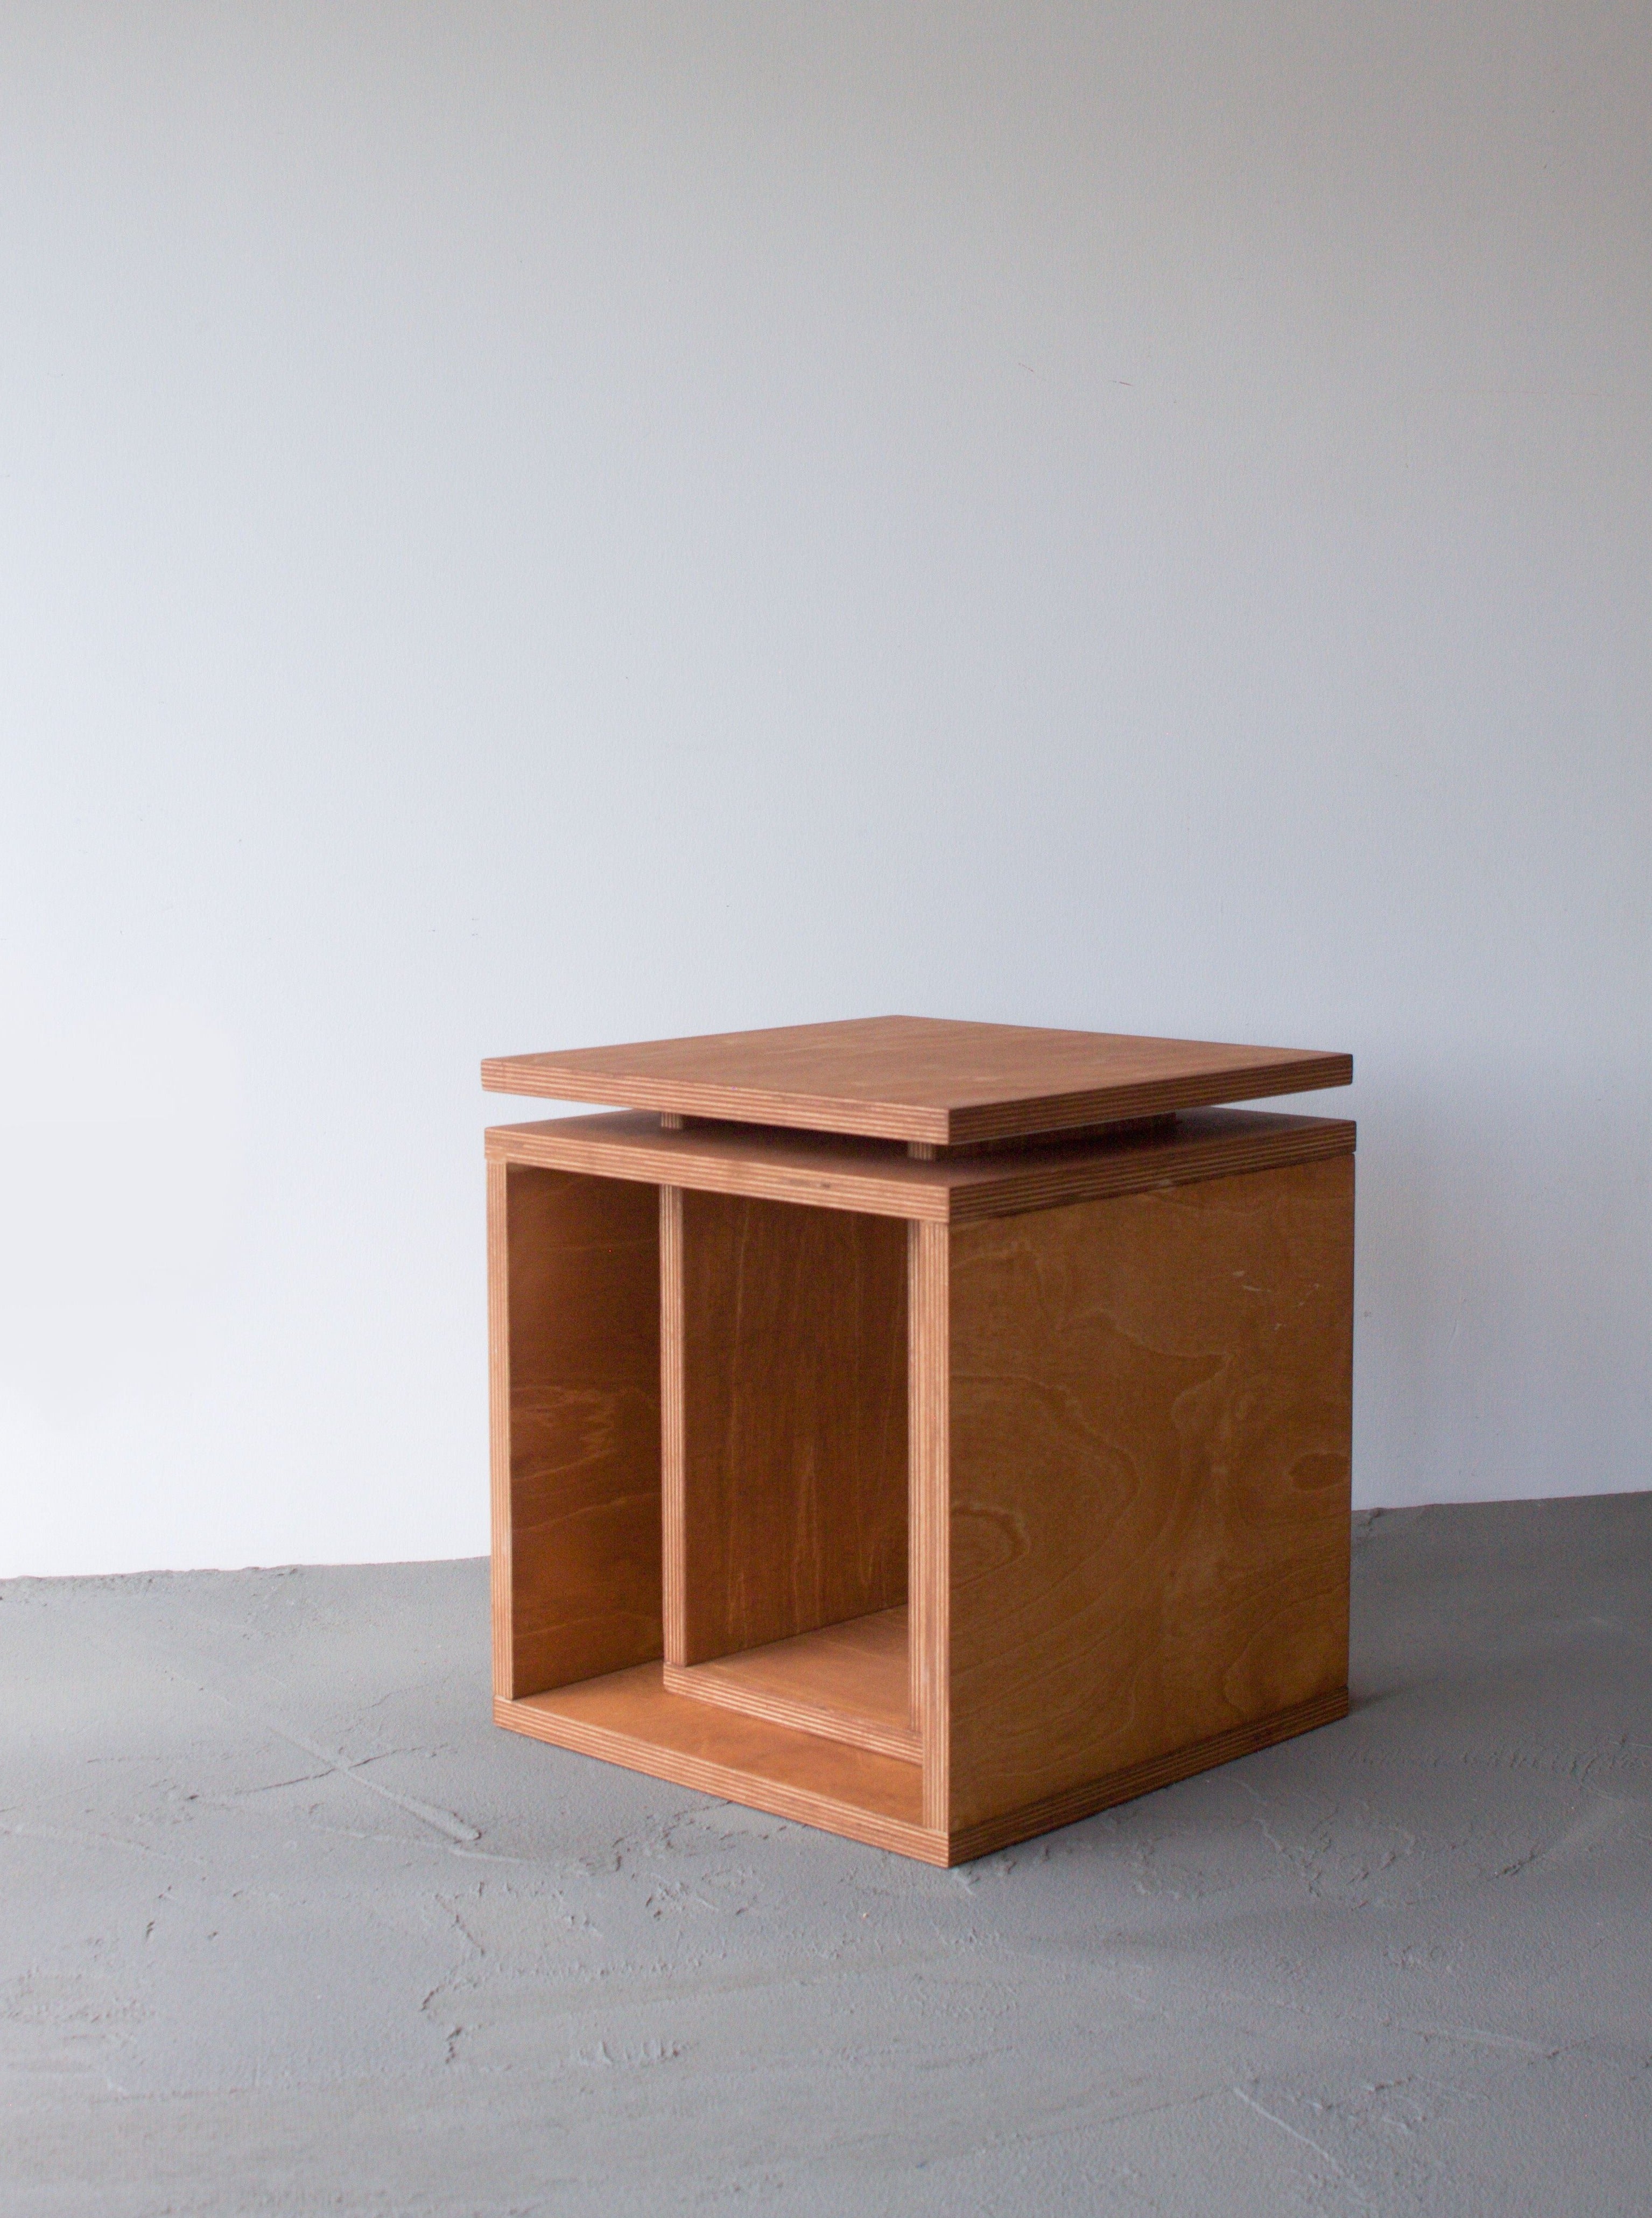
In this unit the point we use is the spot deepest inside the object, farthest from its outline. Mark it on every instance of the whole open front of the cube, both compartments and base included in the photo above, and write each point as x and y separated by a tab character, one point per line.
702	1494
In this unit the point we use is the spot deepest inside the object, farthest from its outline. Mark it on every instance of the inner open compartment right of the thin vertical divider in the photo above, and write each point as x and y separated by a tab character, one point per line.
784	1352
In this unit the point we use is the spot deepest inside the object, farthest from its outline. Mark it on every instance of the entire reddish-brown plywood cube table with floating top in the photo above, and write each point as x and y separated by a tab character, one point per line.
928	1432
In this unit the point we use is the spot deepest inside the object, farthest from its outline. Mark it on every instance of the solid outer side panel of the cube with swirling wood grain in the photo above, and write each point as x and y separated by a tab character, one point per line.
1150	1478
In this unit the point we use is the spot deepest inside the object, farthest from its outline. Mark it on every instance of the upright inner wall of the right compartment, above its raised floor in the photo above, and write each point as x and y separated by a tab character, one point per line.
795	1423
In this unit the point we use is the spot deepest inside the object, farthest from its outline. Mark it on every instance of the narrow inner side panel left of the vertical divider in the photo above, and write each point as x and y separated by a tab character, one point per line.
578	1392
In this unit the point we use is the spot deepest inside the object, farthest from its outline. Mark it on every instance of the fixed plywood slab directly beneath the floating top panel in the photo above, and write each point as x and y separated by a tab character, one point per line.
879	1179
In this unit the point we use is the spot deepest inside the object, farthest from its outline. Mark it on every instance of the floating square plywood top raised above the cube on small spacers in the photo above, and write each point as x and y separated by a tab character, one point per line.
919	1077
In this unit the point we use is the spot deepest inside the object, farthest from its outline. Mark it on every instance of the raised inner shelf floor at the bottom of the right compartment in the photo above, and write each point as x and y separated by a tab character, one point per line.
853	1682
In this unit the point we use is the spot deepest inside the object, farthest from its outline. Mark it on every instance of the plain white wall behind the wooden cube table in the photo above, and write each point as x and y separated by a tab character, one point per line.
551	525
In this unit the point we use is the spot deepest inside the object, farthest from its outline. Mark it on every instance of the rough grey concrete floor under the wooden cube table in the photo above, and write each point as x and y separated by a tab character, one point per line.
287	1929
